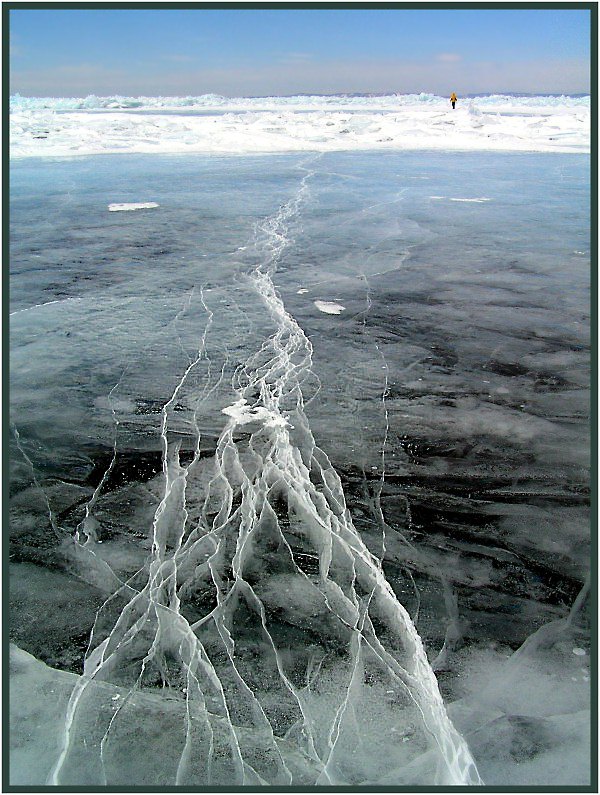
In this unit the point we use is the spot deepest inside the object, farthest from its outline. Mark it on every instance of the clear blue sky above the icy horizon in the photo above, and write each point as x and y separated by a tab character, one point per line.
255	52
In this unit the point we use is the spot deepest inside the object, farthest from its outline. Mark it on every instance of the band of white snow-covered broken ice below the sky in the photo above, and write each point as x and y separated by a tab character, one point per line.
67	127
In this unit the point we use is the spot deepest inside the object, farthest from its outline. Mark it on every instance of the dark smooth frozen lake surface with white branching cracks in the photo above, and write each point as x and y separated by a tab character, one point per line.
300	469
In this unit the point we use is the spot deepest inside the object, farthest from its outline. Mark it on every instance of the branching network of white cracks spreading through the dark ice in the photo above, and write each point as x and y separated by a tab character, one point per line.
283	646
